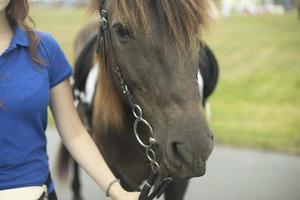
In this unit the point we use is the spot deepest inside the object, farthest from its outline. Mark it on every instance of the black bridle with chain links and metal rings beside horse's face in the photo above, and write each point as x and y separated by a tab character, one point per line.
151	188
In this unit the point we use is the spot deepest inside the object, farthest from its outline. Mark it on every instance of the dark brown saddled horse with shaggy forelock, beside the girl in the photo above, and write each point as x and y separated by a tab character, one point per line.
158	48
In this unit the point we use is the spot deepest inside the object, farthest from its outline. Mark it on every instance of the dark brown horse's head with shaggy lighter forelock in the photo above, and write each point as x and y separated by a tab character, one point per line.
157	44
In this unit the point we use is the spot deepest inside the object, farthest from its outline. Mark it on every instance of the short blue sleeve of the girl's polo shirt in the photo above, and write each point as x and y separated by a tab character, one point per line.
59	69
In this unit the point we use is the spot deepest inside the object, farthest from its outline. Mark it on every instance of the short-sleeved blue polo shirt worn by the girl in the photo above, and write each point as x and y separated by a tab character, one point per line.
24	95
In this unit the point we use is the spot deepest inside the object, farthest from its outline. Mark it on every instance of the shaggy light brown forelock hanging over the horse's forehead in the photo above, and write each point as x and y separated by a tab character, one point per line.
182	20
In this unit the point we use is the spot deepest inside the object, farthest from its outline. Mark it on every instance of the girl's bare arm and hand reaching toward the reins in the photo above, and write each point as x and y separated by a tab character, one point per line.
79	143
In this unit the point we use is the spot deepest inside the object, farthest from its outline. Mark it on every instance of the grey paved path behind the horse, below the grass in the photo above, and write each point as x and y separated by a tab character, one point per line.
232	174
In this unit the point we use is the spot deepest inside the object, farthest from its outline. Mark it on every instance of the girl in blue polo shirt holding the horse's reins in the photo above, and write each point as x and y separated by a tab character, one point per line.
34	74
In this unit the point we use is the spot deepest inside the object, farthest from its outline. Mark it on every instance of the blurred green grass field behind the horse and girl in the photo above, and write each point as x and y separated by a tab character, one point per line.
257	102
